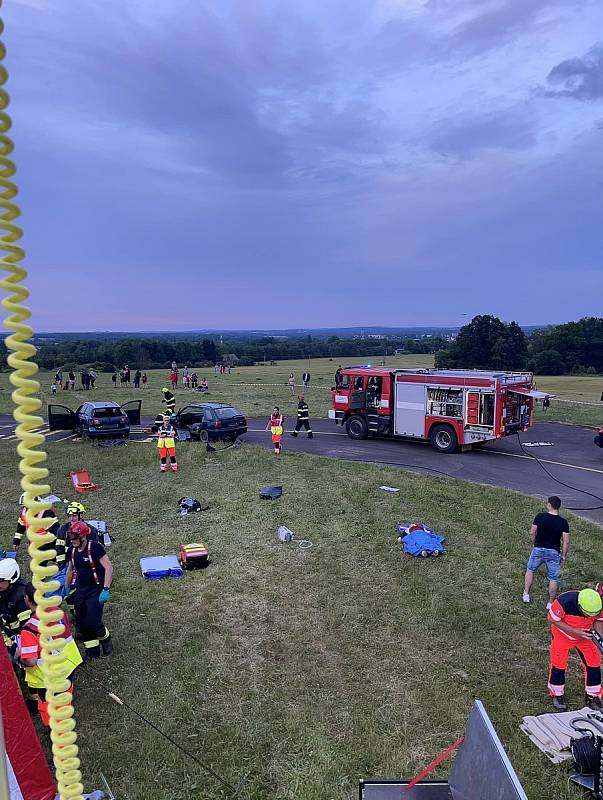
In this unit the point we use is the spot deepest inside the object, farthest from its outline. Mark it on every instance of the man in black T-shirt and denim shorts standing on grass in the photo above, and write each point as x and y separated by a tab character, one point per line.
550	539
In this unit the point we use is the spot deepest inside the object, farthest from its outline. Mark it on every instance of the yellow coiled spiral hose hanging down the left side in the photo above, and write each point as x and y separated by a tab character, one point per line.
54	663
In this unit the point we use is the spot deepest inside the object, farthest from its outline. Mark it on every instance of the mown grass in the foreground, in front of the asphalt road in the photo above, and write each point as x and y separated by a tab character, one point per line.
307	669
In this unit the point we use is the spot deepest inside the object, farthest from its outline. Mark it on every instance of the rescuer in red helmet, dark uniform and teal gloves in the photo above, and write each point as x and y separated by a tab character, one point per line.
90	573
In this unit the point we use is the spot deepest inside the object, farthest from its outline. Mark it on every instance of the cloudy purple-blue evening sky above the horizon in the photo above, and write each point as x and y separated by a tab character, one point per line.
268	164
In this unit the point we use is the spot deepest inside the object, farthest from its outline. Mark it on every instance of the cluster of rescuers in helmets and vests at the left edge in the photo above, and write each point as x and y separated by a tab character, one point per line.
84	578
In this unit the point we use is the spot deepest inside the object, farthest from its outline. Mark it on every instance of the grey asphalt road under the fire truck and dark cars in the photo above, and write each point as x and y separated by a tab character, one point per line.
572	457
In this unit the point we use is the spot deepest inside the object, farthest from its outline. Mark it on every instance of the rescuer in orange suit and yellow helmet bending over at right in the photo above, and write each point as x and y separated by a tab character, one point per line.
573	616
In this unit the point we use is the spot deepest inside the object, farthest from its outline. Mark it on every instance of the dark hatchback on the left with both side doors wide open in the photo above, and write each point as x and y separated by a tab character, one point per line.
93	420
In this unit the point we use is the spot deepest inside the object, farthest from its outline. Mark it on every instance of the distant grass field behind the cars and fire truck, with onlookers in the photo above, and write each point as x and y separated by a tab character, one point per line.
255	390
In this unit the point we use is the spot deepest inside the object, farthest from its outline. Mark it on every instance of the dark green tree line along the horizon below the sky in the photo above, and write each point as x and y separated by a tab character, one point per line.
484	343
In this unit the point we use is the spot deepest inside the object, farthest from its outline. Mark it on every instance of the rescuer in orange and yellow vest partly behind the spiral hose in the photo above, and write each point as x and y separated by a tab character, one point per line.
30	654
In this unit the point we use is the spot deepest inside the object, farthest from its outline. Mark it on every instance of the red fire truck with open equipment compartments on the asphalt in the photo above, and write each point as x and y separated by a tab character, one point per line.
449	408
